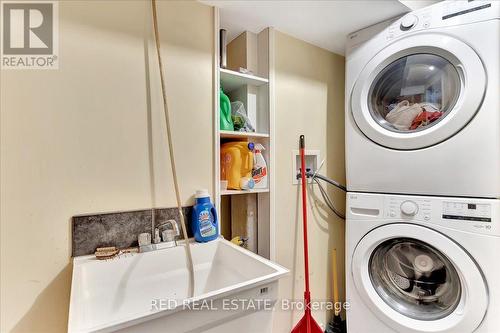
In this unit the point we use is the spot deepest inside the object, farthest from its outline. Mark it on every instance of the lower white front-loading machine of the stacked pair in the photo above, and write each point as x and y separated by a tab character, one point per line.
422	264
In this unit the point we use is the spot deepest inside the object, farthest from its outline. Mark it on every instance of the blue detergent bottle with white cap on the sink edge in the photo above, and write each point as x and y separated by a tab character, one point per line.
204	219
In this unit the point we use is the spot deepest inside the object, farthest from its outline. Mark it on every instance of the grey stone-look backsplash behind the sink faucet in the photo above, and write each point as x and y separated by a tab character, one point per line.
119	229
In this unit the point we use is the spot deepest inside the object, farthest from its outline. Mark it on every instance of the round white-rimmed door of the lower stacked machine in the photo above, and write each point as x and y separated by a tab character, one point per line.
415	279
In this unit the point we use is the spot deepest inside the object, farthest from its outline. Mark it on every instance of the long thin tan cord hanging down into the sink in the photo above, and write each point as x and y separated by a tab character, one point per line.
171	152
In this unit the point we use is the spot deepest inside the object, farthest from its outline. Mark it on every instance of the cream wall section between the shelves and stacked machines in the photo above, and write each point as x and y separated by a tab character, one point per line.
310	101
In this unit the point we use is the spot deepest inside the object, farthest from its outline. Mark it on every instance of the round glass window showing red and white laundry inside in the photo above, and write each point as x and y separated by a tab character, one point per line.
414	92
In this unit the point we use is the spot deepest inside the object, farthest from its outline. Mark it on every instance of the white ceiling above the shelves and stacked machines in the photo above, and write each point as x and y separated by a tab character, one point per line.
319	22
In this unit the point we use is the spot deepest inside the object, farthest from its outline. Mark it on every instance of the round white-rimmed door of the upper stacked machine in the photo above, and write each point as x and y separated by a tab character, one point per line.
418	92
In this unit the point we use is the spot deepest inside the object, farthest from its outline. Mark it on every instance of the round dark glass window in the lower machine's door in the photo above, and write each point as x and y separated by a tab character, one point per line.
415	279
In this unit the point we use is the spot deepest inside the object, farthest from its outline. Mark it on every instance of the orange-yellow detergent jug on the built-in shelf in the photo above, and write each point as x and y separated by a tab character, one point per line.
236	163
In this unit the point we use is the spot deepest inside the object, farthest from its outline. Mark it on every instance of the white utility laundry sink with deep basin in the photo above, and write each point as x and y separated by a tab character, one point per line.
149	291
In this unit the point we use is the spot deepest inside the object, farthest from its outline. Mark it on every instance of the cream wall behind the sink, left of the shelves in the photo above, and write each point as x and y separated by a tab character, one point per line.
88	138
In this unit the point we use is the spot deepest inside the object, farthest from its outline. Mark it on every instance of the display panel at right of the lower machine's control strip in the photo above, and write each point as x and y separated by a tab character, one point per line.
466	211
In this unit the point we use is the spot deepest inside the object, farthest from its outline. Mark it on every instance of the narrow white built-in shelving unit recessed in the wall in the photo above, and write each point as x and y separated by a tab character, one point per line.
255	207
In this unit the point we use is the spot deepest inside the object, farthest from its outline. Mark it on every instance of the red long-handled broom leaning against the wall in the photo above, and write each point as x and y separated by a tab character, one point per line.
307	324
